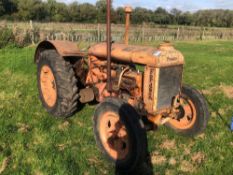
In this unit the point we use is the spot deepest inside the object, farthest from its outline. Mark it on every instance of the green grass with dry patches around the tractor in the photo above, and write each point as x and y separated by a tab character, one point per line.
32	142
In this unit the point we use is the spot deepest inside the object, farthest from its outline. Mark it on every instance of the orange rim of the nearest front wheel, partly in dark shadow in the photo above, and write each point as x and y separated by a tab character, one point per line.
114	136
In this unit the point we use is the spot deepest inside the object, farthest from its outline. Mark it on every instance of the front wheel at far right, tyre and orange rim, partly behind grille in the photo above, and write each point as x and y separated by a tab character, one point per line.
193	116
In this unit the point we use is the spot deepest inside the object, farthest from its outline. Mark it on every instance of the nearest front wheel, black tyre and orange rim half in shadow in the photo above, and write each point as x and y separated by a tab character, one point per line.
120	134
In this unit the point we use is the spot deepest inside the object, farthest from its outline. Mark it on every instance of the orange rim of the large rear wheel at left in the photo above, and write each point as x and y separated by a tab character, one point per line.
48	86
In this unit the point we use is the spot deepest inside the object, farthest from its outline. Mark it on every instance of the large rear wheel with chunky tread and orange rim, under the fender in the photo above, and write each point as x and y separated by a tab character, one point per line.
57	84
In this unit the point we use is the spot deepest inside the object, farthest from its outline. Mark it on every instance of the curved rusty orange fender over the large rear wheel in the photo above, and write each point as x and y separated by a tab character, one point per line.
64	48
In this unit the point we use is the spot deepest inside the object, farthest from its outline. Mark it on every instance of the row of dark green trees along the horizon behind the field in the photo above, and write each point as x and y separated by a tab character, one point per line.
51	10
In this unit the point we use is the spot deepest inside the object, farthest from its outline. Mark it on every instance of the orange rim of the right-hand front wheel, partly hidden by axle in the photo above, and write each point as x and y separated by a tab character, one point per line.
189	115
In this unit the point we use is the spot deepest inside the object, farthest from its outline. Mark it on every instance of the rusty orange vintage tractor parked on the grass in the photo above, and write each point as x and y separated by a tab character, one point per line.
130	101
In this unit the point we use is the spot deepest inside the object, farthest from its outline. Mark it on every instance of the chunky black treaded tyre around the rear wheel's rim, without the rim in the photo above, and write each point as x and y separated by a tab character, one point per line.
66	82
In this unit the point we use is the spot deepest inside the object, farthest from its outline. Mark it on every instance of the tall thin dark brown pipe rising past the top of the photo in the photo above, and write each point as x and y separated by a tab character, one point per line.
109	41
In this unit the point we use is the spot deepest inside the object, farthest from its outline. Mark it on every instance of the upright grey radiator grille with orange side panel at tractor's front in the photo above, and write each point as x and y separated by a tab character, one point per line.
161	85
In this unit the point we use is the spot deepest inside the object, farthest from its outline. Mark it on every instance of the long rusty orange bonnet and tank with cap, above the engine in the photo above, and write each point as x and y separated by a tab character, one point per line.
163	56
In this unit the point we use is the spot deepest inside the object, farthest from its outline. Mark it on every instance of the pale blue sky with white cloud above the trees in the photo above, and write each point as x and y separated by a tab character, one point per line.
185	5
